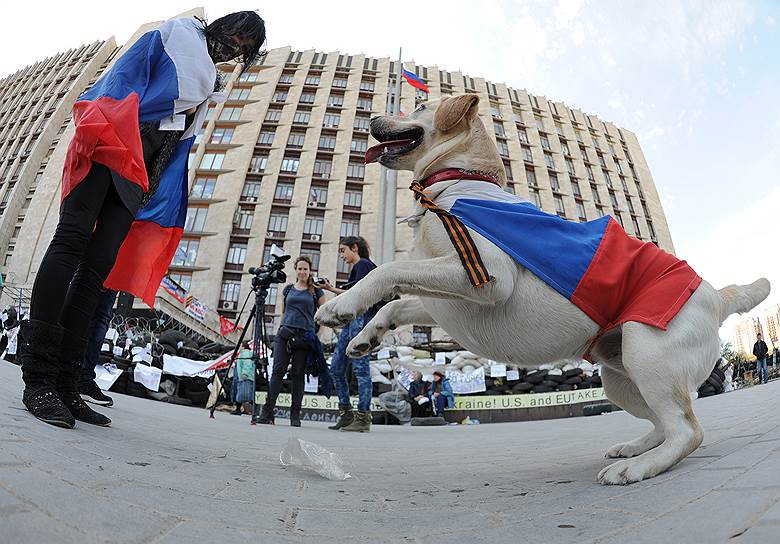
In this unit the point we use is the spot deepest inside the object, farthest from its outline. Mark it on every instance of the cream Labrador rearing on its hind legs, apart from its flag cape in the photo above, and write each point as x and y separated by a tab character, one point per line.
518	318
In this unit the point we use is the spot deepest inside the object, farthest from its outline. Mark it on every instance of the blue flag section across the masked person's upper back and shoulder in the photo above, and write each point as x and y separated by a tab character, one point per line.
132	73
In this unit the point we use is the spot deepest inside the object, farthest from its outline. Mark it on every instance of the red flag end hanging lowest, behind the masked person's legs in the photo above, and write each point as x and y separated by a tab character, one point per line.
143	260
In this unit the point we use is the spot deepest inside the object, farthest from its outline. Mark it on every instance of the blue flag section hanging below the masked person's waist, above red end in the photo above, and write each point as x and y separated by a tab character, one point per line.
168	206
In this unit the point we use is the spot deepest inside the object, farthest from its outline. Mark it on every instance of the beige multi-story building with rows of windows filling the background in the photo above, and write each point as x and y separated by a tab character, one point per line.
281	162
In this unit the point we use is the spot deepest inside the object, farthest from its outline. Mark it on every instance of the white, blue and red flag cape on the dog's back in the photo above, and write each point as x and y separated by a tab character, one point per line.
611	276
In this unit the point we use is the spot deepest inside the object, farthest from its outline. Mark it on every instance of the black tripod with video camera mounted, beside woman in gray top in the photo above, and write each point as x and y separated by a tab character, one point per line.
262	279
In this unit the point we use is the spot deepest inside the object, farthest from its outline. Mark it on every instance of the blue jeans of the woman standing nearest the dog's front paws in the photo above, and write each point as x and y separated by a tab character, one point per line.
338	365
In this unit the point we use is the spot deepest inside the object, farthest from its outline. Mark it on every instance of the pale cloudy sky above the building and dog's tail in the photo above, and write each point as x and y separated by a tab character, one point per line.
697	81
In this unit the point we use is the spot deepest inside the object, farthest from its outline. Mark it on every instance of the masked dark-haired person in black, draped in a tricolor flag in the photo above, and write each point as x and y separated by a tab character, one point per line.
124	195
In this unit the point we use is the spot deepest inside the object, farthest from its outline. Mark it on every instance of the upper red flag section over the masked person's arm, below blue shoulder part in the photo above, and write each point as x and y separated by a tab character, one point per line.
106	132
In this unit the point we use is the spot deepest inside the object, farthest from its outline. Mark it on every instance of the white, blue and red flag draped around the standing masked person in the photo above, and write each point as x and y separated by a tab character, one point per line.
166	72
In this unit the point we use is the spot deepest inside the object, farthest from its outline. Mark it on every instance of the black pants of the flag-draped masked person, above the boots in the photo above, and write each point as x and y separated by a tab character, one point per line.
93	224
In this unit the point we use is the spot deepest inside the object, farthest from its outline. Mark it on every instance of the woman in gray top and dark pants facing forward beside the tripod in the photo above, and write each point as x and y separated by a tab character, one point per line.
301	301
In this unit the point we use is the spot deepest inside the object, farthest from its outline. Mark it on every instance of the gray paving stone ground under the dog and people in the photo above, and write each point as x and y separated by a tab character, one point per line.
168	474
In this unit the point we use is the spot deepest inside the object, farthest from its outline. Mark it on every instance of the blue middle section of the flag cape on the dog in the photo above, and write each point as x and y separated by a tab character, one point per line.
554	249
